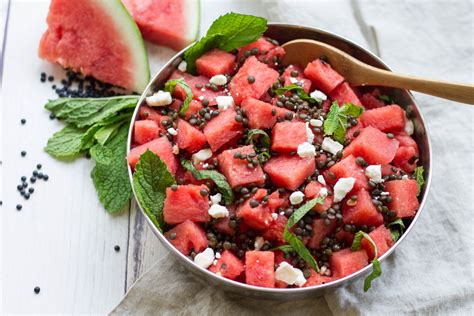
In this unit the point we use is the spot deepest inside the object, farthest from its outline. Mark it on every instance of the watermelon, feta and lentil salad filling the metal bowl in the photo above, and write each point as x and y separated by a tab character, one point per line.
272	149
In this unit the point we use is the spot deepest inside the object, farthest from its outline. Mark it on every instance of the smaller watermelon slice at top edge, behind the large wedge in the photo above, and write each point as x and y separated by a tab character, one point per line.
172	23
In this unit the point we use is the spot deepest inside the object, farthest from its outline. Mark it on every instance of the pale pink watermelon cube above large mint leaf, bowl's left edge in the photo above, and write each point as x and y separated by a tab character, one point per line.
161	147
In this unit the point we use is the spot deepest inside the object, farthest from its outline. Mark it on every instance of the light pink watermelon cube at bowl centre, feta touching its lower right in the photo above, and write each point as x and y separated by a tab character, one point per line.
287	136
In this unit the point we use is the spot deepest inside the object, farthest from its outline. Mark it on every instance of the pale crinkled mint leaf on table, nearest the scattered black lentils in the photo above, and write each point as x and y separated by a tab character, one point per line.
65	144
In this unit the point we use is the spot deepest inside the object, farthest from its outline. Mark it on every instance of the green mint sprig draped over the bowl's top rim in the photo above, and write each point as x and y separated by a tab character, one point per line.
228	32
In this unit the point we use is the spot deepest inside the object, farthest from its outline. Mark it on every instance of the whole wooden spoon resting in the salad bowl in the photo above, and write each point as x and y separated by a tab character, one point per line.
356	73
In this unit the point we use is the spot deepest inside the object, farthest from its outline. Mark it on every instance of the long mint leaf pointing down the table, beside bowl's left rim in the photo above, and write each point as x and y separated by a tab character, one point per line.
110	174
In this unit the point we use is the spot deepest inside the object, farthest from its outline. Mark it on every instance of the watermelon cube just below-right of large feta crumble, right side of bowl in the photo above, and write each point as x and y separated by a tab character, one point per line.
363	212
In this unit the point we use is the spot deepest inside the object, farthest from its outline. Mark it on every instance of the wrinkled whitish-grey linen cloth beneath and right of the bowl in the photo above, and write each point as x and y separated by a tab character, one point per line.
432	270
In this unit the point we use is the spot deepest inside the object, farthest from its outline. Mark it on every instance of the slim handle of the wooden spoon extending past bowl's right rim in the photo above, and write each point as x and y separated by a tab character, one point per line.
448	90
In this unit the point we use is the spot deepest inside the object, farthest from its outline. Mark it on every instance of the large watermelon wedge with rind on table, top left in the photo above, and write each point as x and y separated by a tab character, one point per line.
98	39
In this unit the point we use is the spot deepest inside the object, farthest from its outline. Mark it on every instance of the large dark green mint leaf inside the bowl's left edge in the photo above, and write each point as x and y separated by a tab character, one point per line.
151	178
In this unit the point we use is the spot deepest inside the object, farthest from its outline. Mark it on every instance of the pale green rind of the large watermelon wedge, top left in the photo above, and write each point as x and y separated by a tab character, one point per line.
127	27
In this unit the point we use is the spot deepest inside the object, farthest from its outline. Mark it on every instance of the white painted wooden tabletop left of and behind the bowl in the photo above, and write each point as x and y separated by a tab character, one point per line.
62	240
